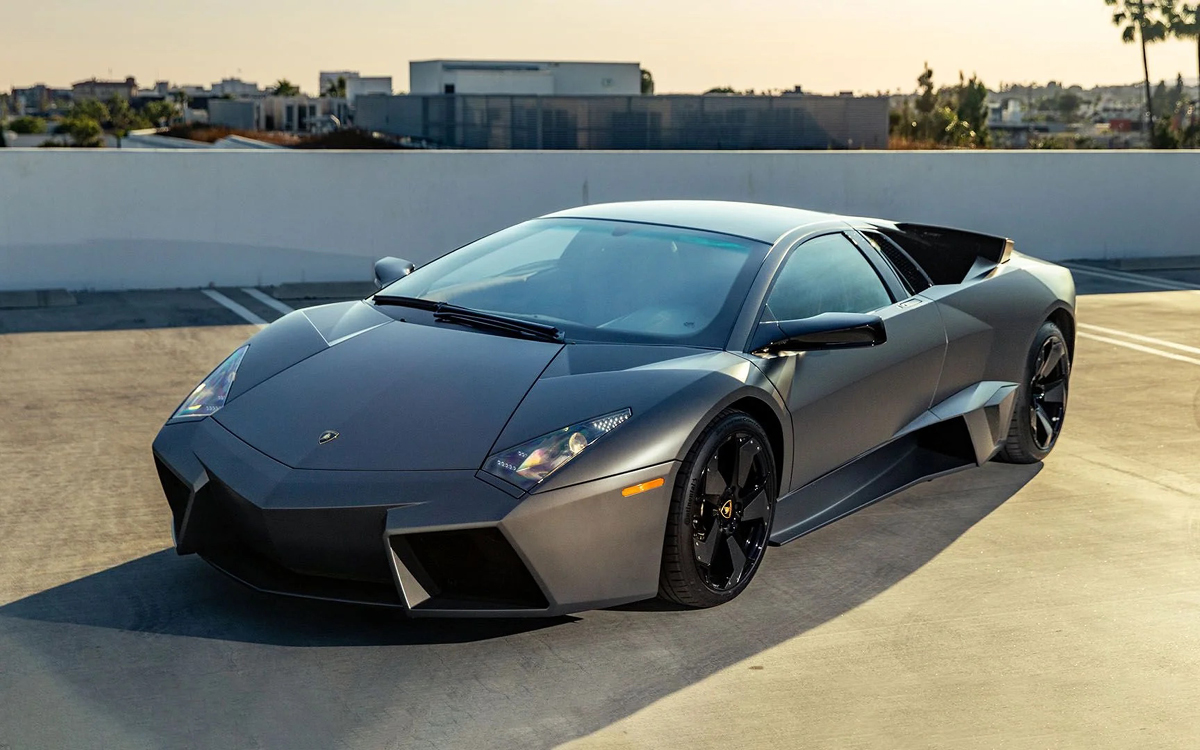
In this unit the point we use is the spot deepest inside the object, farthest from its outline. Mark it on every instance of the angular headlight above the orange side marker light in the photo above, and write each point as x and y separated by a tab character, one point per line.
529	464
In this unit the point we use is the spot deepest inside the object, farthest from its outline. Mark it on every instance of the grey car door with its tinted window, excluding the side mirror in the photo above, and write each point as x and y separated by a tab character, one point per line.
845	403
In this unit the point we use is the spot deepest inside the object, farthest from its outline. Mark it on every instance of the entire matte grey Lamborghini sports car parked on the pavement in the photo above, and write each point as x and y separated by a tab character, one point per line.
613	404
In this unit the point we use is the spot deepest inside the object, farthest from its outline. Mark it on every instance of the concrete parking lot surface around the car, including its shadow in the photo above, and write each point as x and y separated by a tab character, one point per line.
1054	605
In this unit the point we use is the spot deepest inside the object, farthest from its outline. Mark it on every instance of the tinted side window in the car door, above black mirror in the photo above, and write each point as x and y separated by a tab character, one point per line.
827	274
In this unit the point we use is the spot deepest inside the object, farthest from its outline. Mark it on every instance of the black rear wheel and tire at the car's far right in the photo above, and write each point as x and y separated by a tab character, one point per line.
1041	400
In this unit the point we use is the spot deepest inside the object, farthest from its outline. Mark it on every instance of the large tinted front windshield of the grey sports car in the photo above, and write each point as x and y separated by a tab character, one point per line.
599	280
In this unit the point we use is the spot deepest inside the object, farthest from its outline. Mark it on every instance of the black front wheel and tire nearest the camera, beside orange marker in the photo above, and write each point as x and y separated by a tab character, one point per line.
703	523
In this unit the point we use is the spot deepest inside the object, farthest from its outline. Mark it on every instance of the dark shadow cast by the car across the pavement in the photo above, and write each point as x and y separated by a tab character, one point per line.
164	652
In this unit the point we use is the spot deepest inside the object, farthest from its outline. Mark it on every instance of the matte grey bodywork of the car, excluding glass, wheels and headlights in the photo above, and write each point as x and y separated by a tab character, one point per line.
397	511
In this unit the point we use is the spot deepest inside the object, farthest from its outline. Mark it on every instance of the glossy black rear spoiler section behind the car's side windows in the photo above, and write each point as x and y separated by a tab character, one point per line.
949	256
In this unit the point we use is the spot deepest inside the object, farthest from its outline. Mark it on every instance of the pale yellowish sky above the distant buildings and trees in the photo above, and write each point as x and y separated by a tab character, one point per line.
826	46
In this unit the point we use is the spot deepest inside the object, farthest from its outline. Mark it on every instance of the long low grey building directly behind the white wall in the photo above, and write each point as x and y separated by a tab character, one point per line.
502	122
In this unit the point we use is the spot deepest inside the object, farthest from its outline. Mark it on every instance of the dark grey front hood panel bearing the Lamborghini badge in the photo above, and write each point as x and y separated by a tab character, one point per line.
400	397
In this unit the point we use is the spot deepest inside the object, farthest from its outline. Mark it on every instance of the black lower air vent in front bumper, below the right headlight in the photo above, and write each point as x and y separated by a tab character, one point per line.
472	569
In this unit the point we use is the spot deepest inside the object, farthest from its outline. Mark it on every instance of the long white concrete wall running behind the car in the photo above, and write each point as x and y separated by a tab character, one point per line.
111	220
